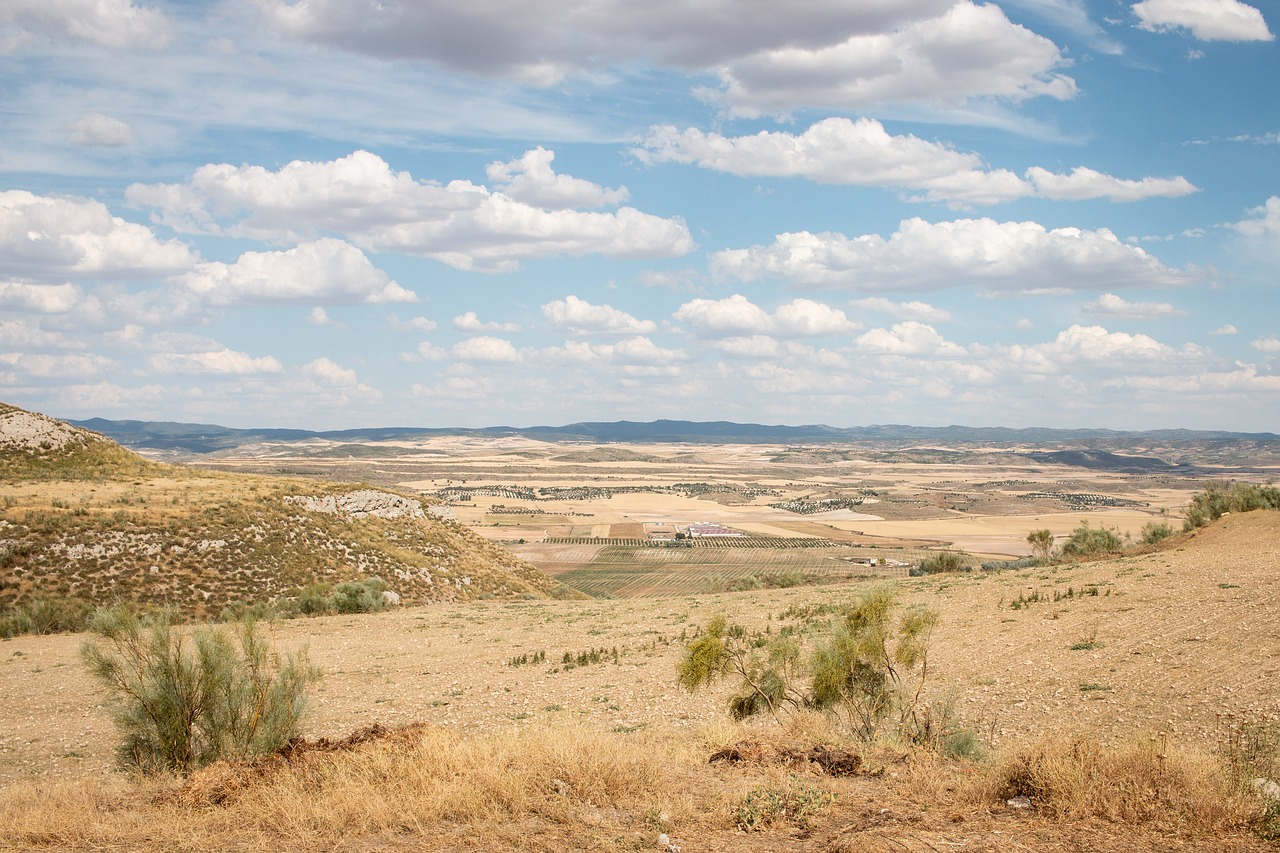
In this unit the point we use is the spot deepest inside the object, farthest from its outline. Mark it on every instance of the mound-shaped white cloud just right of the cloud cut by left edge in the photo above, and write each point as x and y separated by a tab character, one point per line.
327	270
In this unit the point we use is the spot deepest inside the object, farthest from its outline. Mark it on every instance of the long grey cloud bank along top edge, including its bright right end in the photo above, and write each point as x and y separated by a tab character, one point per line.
819	54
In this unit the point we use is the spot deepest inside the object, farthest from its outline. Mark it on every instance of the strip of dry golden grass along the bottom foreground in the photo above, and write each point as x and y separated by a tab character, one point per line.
574	788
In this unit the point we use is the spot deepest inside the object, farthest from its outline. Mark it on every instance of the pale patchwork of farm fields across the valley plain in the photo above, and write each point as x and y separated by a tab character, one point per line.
551	504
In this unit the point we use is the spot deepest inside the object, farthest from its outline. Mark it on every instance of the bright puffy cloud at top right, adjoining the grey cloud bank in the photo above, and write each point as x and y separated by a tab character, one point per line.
968	52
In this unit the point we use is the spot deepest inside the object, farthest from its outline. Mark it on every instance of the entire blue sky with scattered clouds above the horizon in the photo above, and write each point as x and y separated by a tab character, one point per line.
332	215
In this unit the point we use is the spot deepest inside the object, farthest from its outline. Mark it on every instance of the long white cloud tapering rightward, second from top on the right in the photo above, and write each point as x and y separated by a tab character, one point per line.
839	150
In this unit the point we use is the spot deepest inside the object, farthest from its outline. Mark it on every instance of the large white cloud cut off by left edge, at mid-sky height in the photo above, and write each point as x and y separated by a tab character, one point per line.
45	238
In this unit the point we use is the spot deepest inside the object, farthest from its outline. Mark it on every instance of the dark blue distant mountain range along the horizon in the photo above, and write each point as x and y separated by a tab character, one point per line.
208	439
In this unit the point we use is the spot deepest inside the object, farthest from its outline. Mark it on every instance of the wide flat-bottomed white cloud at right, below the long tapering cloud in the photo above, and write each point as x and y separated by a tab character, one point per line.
1013	257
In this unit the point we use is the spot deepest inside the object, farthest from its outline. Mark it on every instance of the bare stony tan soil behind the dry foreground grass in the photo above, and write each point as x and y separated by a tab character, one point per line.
1173	641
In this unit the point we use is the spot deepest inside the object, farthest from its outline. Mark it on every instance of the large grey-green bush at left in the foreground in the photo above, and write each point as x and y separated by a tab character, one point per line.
182	703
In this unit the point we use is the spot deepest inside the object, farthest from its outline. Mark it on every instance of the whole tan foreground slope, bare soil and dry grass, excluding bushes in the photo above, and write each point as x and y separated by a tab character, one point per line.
1181	647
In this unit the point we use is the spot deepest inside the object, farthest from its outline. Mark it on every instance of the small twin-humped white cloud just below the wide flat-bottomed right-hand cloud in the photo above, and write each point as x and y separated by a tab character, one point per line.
739	317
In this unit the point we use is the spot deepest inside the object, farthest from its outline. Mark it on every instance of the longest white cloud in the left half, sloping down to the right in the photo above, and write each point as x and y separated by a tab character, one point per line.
463	225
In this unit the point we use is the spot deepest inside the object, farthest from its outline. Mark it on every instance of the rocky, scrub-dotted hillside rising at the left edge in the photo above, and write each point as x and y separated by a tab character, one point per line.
86	519
